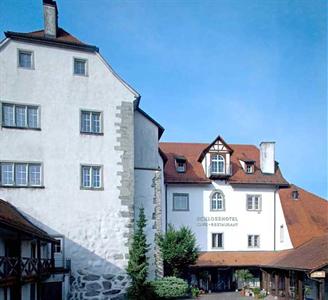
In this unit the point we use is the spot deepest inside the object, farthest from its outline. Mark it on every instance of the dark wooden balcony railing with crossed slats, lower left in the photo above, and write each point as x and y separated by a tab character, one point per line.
13	267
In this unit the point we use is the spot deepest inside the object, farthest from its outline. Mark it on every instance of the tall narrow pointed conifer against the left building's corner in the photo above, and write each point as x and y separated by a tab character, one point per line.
138	265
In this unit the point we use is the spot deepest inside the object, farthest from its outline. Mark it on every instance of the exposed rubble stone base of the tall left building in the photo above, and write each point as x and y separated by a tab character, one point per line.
85	285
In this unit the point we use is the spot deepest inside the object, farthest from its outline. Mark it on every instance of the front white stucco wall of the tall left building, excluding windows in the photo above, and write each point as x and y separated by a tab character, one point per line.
89	220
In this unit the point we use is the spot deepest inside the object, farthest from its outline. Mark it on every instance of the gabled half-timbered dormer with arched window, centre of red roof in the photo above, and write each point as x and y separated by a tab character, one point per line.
216	159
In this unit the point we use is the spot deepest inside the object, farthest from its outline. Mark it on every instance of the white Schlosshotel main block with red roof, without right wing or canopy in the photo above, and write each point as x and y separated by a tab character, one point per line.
223	193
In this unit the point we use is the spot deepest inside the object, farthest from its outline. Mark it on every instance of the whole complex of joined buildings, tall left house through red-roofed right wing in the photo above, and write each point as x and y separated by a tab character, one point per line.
79	157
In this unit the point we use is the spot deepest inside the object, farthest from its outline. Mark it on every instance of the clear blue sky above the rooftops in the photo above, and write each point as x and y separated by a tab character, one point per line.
245	69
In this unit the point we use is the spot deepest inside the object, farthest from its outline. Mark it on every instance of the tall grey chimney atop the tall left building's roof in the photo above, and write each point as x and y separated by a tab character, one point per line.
50	13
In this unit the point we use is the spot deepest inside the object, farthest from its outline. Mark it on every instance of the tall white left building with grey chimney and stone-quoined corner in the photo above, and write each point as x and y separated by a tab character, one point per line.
72	155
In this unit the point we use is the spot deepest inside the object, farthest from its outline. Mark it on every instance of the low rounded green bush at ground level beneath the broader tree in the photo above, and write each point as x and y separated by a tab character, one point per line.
170	287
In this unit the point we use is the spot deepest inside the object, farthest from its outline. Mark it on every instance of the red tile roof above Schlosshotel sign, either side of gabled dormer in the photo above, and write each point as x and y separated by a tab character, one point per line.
195	172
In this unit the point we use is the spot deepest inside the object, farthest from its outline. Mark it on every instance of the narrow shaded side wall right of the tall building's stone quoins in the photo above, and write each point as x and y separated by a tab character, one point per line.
148	179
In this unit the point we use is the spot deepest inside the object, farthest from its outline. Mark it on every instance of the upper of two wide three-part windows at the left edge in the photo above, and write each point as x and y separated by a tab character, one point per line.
20	116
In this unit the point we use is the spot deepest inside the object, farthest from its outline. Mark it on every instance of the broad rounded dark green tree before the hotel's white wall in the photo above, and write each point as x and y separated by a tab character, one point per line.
179	250
